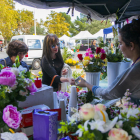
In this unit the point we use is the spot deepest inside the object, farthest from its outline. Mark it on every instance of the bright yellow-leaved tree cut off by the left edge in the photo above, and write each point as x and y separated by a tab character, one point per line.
8	18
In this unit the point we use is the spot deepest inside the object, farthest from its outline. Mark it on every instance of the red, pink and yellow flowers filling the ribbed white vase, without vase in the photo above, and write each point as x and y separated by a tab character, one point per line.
93	62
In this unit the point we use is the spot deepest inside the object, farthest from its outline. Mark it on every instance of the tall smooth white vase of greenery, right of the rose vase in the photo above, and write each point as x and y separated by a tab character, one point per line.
113	69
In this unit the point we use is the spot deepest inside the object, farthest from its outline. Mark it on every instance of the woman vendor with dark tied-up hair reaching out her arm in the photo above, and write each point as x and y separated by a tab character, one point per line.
129	43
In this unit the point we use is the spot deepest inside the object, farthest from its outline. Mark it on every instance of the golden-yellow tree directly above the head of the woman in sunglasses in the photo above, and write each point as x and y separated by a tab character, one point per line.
56	24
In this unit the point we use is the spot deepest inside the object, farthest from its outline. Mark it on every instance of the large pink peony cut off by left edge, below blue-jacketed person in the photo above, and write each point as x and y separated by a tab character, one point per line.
7	77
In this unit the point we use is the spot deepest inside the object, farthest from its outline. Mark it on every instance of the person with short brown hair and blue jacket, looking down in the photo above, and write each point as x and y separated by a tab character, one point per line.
15	48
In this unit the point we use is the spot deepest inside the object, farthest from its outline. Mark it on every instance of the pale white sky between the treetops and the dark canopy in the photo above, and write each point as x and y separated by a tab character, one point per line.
42	13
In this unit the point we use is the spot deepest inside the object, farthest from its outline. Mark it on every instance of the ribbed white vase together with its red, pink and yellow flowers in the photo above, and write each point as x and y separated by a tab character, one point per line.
93	64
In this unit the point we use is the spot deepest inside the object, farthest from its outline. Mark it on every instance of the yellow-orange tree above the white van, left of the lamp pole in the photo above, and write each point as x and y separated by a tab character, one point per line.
25	21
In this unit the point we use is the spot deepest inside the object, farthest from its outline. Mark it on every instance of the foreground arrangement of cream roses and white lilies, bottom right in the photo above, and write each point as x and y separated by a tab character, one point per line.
94	122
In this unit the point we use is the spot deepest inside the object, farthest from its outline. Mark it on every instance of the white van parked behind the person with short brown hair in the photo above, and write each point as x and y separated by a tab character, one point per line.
35	45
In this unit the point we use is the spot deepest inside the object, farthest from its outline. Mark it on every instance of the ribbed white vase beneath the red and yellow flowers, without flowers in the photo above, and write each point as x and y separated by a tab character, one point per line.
93	78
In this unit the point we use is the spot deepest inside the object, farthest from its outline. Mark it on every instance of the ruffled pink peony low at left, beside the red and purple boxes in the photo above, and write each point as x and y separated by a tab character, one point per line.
11	116
